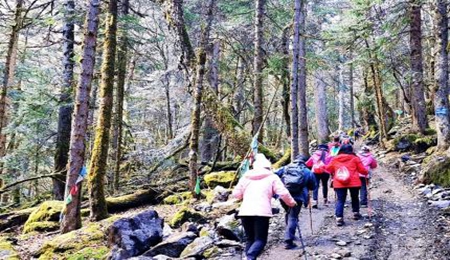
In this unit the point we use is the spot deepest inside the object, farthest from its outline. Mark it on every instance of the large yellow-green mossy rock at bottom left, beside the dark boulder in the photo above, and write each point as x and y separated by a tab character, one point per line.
86	243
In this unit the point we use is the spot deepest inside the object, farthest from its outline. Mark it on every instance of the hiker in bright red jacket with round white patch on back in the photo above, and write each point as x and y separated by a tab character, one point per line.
345	169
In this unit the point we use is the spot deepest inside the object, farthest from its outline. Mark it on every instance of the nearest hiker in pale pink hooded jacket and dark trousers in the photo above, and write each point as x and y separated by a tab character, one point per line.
256	188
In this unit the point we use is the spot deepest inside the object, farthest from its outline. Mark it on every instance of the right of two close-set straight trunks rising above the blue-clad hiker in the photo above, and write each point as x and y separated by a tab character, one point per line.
303	143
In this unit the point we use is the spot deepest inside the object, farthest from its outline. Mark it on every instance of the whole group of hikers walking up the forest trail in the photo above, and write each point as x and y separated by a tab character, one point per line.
337	161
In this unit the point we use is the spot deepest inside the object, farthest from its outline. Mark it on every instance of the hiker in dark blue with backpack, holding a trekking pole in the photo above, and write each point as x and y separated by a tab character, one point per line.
299	191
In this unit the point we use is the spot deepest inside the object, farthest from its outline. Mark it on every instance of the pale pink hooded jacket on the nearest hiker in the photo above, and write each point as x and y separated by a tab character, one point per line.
257	188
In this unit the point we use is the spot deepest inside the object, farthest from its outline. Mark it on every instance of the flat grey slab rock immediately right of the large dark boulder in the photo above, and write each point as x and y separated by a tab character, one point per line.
173	246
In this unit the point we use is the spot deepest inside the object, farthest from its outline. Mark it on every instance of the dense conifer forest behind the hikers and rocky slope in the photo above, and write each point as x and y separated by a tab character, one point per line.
131	90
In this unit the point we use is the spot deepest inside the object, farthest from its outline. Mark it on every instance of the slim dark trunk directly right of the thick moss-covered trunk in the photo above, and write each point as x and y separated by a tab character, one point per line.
122	60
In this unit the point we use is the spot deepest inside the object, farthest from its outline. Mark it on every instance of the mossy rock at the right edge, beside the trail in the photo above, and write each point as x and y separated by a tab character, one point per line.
437	170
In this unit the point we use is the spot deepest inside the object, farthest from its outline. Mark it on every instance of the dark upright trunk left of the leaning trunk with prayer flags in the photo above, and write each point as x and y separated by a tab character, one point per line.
65	111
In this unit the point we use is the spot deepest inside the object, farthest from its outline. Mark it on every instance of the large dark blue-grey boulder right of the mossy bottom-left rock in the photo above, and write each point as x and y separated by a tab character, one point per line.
135	235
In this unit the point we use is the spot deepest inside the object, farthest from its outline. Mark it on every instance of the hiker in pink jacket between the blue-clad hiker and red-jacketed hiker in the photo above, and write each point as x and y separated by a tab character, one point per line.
318	160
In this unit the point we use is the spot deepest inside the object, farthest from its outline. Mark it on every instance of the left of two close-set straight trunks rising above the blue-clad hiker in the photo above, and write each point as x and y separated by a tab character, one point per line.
295	78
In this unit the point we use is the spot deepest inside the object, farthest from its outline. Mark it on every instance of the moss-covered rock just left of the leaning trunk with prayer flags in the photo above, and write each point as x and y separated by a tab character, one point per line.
45	217
